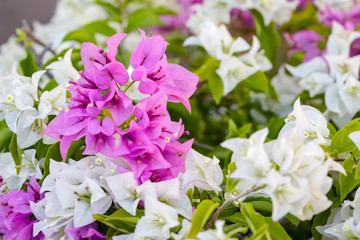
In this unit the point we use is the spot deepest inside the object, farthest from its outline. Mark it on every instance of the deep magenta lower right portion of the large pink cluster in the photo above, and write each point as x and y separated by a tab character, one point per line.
148	141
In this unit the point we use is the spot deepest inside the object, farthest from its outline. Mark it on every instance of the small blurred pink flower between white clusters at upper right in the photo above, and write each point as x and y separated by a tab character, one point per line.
304	41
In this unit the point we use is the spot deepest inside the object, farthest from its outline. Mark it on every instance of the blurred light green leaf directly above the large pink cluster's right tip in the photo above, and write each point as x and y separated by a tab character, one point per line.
144	18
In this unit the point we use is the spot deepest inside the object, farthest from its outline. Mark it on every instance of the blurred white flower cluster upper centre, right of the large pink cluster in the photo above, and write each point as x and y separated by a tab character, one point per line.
219	44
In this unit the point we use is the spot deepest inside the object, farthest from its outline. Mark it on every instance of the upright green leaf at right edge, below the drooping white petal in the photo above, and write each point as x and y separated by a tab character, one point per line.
348	183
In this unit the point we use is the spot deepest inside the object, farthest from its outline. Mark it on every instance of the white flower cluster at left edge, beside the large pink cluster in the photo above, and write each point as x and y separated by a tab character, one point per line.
25	110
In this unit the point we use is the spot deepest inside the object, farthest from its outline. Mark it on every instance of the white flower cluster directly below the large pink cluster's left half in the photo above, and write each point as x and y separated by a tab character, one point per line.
73	193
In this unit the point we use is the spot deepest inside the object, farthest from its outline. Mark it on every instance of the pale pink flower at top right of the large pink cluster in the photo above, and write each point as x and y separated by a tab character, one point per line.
154	72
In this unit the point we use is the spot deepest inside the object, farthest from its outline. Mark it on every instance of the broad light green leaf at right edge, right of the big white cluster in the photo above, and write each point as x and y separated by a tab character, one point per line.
341	140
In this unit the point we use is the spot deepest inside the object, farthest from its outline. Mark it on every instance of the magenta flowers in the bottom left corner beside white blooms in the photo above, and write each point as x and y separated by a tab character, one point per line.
16	218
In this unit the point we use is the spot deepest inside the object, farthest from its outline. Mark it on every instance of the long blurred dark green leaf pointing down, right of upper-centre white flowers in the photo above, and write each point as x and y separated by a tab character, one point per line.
268	36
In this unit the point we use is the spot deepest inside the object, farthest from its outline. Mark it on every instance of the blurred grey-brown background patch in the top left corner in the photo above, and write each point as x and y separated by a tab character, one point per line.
12	12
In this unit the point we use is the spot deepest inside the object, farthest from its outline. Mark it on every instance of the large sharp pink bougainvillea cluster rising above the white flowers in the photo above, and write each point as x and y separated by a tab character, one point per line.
113	124
